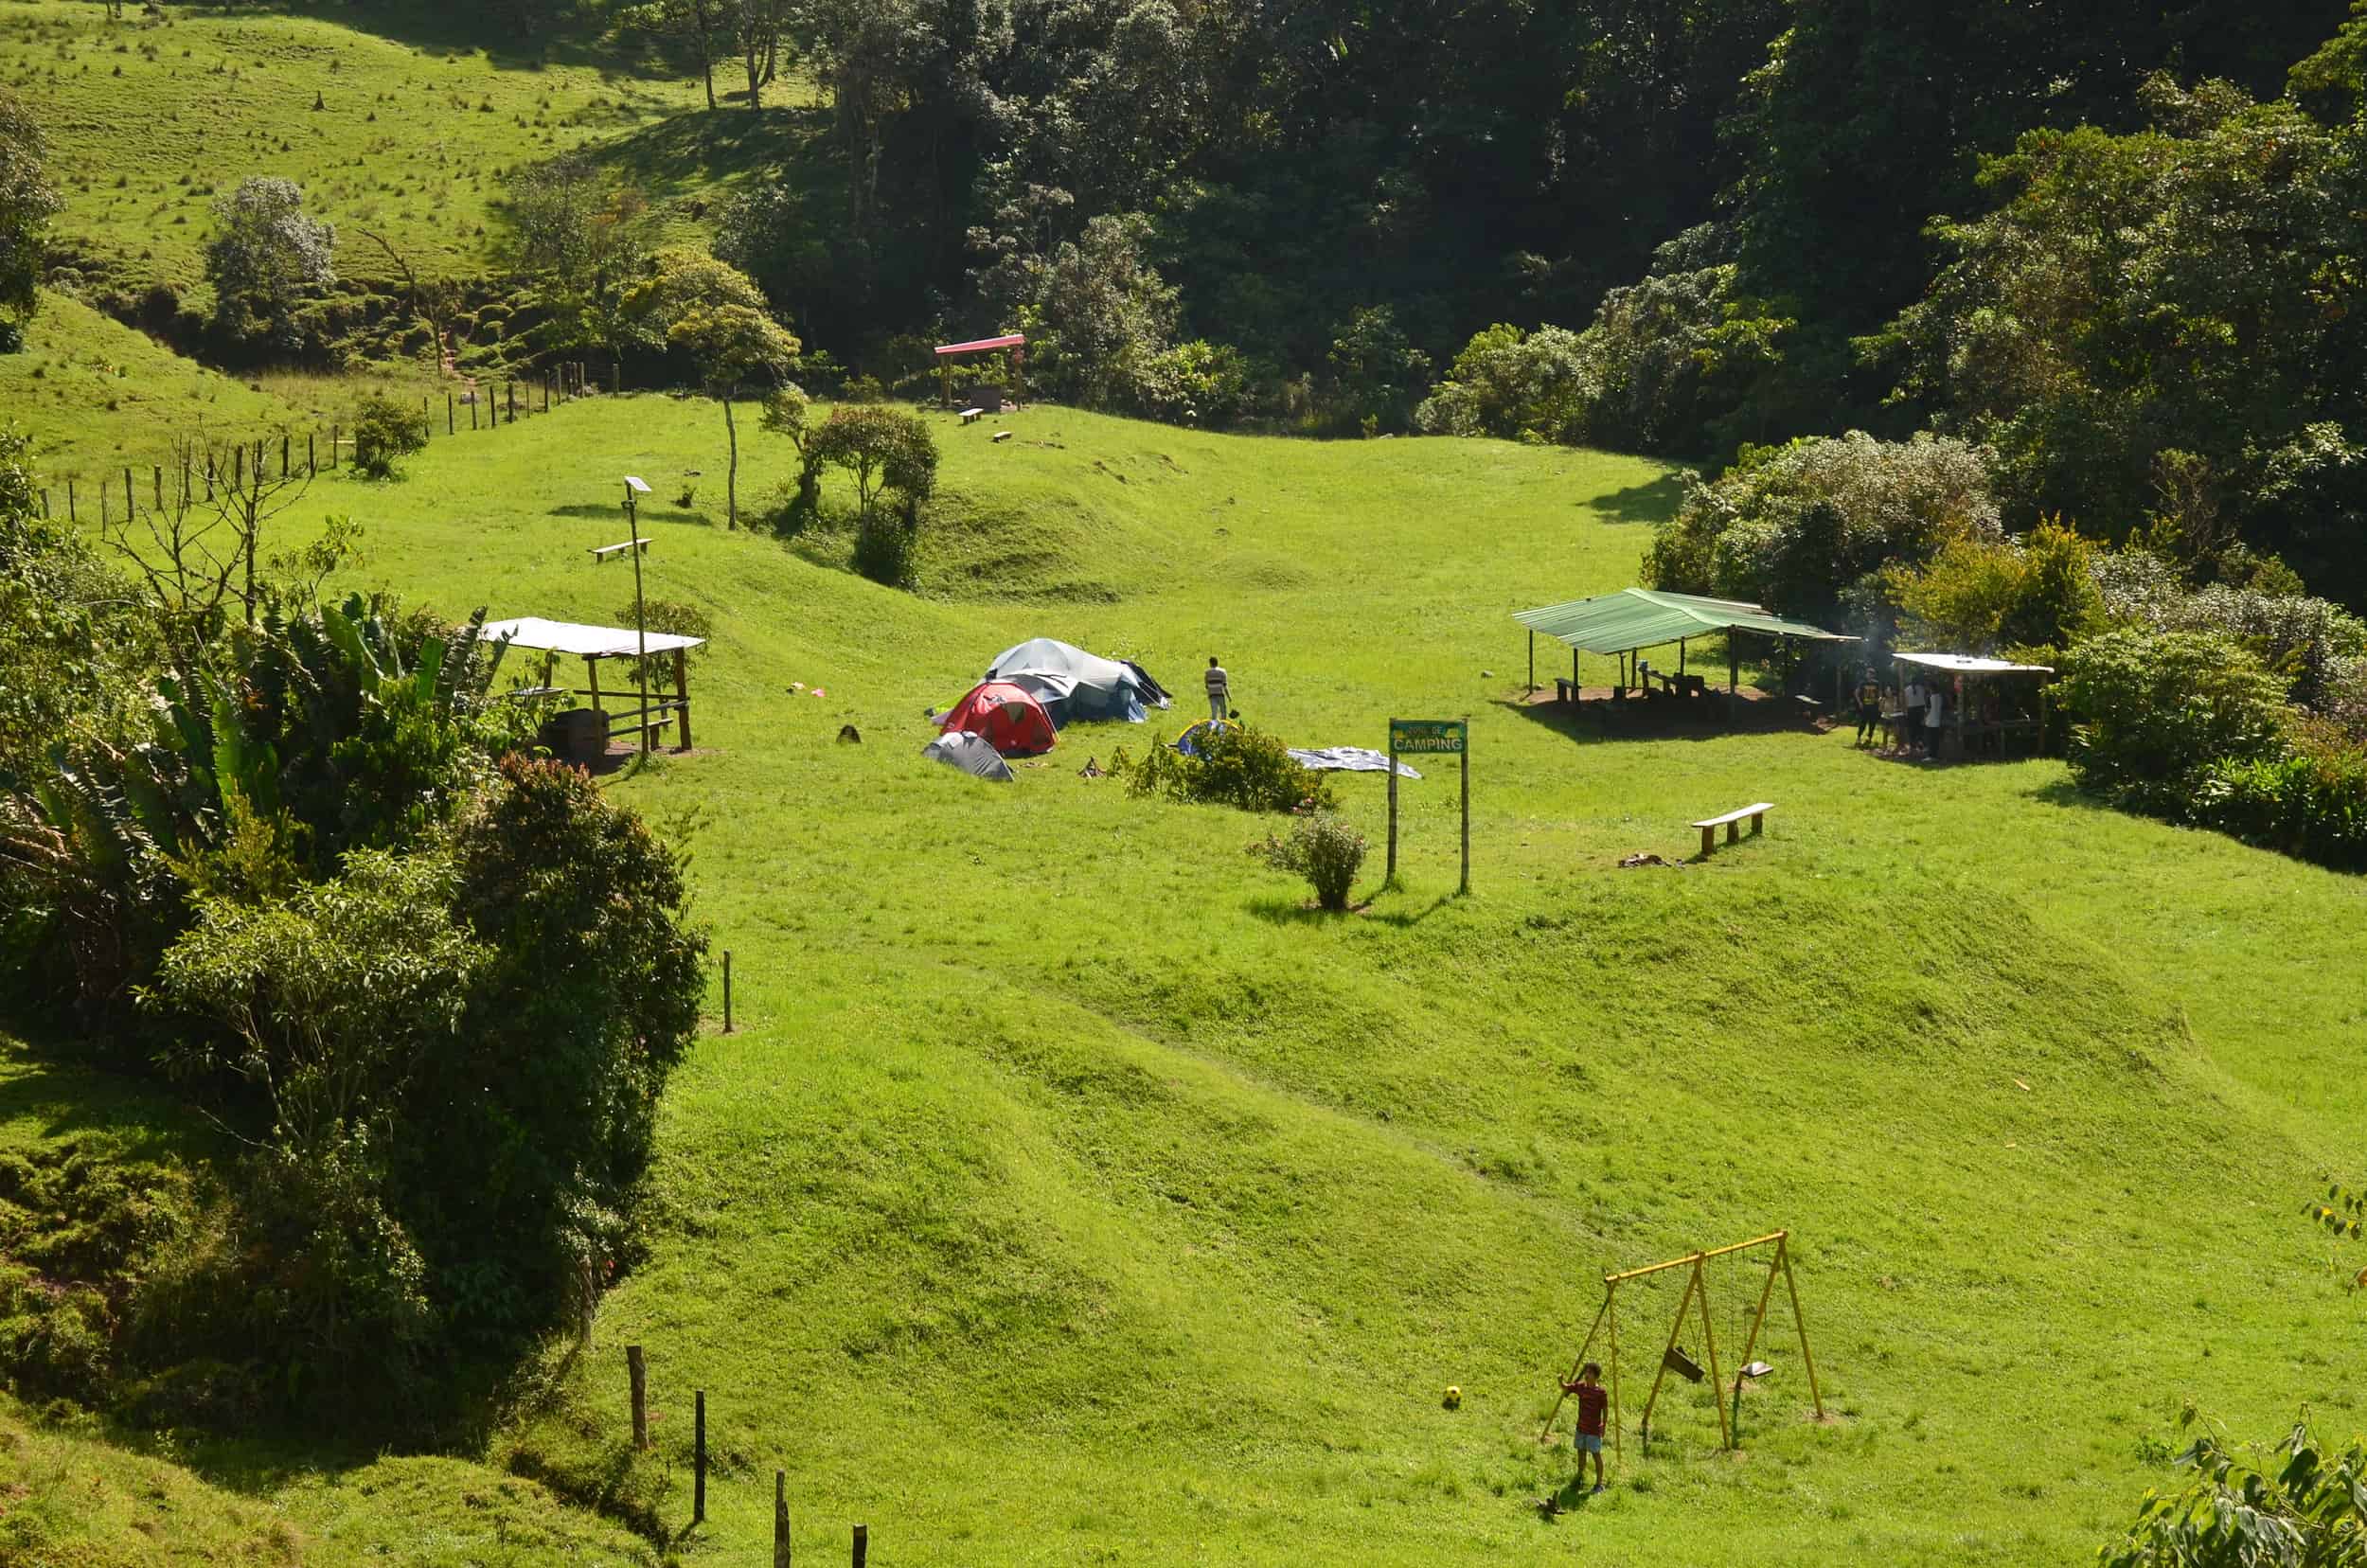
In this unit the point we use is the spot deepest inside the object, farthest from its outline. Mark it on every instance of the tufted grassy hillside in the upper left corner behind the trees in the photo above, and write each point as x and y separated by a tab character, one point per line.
399	120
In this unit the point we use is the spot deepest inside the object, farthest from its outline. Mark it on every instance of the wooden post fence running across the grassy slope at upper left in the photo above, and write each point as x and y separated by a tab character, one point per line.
120	491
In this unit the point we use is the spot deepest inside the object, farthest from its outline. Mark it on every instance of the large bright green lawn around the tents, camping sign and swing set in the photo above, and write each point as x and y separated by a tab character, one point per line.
1071	1193
